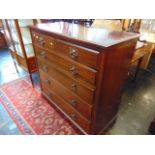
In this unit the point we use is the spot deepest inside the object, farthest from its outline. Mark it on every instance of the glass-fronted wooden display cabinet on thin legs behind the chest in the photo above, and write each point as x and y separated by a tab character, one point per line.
19	42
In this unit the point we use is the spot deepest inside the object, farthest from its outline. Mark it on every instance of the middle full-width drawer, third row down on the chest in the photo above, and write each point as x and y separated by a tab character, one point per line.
85	91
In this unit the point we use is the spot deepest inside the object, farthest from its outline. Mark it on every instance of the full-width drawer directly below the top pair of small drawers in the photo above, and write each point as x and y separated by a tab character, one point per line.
72	68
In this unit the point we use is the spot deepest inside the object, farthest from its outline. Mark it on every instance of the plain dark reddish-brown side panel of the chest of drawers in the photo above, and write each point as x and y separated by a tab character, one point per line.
117	61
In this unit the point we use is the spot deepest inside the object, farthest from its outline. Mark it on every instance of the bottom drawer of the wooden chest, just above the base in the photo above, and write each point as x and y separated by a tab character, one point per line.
69	110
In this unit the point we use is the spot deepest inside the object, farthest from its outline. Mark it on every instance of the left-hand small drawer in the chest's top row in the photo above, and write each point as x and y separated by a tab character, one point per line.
43	40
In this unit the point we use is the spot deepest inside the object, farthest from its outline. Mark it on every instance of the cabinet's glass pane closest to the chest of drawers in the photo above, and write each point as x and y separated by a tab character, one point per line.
26	37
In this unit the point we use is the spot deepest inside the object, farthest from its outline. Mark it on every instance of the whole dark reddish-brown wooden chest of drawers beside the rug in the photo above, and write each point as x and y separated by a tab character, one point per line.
82	71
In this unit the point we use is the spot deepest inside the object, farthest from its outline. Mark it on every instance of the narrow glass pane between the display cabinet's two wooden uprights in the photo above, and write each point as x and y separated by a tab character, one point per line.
15	37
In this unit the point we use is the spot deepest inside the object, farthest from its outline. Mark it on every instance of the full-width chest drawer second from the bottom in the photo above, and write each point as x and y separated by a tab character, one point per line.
76	102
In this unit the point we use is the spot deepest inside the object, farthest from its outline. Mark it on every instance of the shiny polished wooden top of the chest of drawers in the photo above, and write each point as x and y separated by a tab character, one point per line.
82	35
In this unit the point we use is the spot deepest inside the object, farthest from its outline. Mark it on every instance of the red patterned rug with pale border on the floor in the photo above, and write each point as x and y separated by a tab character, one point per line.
31	112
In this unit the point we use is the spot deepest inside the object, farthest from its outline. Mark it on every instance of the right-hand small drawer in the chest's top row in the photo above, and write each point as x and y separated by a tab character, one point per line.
77	53
